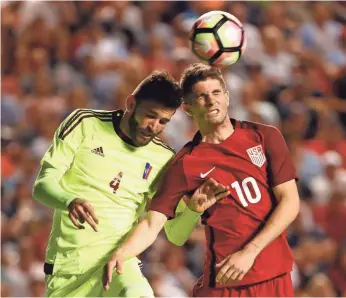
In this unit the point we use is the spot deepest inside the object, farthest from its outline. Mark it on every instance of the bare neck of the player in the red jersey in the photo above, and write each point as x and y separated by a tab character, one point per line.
218	133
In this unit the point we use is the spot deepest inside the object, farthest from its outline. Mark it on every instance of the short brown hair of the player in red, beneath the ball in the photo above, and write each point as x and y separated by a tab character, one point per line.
197	72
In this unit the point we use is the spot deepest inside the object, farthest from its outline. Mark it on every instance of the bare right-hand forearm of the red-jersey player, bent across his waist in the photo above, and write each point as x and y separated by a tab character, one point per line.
284	214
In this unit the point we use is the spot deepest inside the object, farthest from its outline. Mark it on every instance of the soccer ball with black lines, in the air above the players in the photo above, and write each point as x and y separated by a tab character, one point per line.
217	38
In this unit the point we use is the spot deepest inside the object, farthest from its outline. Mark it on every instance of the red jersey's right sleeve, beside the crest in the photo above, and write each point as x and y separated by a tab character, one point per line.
280	165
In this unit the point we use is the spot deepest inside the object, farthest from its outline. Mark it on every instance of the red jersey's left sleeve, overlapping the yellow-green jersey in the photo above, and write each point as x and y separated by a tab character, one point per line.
171	190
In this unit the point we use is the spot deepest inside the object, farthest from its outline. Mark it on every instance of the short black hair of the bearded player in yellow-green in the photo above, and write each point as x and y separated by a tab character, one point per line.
160	87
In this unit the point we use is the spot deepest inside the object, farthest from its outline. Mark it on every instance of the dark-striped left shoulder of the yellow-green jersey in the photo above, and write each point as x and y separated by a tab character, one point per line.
81	117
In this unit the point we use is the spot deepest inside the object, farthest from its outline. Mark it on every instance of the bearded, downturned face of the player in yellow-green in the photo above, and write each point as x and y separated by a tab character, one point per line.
147	120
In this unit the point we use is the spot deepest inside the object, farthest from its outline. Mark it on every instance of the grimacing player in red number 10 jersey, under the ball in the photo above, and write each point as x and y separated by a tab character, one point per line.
248	254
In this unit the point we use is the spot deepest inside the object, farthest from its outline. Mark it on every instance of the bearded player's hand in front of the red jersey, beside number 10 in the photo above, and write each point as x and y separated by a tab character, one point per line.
207	195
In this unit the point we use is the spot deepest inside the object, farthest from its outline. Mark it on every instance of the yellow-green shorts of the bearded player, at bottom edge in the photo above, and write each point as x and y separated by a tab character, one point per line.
131	283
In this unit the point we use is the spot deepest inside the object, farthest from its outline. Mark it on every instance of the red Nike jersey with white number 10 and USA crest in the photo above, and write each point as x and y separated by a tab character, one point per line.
252	160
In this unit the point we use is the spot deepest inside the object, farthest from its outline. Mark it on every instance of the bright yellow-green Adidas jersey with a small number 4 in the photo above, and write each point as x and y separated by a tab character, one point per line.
91	159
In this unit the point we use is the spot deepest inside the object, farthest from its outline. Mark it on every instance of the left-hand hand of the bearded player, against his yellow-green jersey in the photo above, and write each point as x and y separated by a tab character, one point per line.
80	210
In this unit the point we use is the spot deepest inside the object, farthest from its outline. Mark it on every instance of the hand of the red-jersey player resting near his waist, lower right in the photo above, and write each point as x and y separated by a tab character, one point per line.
235	266
